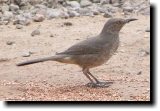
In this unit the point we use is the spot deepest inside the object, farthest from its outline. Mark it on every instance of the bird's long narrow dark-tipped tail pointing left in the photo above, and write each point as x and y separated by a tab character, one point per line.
54	58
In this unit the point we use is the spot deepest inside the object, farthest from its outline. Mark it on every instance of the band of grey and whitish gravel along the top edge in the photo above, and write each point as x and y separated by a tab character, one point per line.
24	11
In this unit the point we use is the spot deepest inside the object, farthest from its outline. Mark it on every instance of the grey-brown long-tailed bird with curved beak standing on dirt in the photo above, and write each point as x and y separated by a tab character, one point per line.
91	52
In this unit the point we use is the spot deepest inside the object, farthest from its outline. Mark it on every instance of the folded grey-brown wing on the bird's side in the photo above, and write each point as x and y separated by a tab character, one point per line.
84	48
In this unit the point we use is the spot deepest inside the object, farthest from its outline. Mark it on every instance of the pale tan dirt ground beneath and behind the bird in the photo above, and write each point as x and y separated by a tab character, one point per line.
128	69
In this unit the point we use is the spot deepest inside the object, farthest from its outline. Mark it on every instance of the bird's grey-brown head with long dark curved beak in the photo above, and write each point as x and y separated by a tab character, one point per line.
114	25
